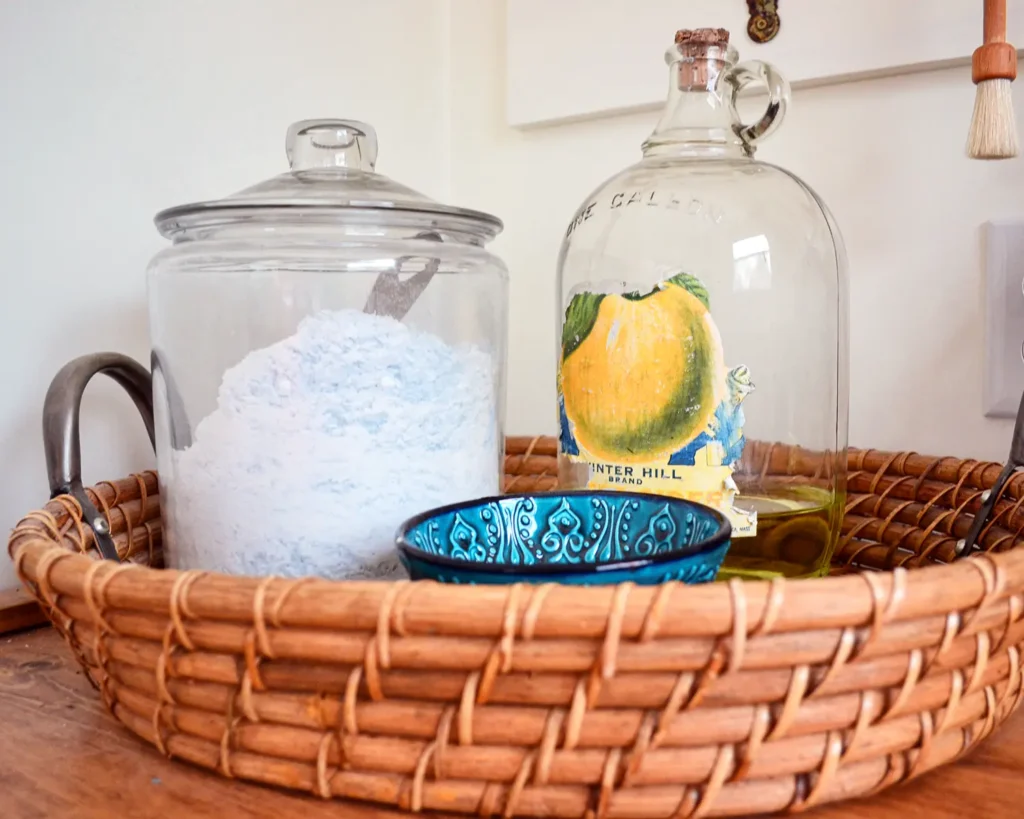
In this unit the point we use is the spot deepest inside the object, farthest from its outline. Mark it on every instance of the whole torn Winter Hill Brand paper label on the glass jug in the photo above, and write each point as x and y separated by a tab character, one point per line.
646	399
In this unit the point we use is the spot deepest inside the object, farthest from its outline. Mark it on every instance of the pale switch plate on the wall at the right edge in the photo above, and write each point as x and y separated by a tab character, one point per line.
1004	260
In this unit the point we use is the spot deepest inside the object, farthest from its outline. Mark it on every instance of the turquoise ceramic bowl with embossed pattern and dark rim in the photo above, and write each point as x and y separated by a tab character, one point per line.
583	538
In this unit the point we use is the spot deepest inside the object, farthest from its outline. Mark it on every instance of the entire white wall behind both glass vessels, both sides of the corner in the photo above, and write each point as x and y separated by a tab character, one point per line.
120	109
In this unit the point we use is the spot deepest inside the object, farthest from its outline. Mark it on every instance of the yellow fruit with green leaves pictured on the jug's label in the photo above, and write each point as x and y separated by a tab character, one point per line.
642	376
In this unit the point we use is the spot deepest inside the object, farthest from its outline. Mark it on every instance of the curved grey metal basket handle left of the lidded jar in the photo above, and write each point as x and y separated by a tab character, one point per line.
62	443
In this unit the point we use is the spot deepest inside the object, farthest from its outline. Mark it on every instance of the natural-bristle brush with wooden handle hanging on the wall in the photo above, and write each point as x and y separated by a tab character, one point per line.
994	67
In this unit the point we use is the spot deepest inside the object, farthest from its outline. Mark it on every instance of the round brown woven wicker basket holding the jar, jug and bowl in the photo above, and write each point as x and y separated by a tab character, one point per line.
624	702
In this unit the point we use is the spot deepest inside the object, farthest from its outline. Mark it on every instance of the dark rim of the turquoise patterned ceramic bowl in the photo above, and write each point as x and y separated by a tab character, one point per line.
722	536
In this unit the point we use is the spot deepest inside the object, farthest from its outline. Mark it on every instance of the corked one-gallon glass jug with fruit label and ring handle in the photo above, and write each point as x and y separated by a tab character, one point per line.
703	319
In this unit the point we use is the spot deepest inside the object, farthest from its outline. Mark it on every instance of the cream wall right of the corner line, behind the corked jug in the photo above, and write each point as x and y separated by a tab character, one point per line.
886	155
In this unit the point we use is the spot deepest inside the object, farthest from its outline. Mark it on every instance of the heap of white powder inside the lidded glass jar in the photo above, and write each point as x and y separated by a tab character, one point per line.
323	444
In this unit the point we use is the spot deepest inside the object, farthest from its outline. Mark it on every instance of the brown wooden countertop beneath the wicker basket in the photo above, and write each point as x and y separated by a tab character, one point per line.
63	756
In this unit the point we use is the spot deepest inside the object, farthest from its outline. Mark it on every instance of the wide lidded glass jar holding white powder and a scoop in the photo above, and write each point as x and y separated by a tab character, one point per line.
329	360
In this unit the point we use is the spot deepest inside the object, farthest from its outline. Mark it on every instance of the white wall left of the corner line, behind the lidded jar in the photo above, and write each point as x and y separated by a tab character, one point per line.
113	110
